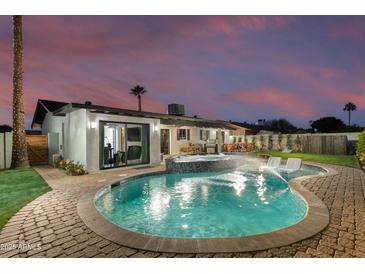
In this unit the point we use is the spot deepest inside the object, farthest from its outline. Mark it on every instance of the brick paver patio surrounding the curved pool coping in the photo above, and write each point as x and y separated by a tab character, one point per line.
50	226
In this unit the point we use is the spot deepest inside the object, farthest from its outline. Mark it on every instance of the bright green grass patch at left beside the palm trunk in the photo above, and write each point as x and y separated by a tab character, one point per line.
18	187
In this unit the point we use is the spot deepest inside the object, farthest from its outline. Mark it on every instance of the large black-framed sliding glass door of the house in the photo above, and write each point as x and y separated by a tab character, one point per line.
124	144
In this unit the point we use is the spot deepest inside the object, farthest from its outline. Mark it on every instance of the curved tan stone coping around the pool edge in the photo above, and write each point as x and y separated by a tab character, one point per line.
316	220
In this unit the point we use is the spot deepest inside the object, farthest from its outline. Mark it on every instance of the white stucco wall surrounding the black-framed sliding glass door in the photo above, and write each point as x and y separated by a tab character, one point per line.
93	136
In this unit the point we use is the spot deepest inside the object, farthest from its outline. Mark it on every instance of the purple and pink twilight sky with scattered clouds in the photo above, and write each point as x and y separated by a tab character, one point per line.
239	68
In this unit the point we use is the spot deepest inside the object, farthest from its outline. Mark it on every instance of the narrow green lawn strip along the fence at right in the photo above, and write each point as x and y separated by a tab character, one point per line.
343	160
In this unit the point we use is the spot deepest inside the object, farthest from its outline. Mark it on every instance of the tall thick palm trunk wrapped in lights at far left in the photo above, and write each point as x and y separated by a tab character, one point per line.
19	151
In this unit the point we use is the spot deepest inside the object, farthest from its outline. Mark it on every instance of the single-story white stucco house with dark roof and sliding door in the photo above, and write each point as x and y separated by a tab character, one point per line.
103	137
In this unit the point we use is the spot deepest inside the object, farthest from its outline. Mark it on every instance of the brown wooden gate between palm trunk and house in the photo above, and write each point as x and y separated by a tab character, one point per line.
37	149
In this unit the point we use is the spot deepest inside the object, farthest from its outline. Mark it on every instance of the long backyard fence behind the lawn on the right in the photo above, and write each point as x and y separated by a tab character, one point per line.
320	143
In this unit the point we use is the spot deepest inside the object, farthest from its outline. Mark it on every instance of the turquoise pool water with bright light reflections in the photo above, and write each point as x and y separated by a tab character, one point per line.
233	203
